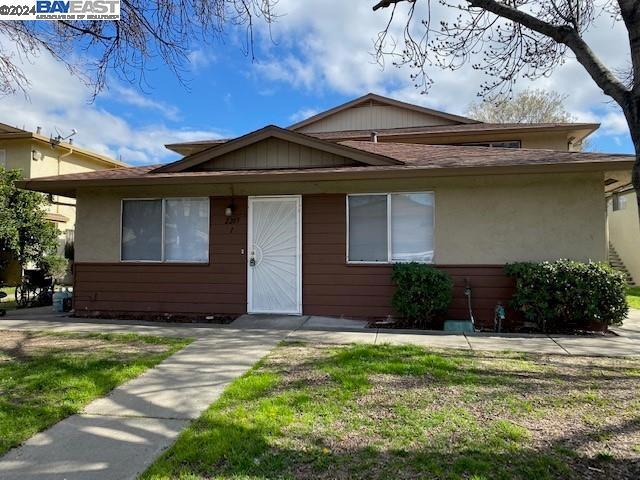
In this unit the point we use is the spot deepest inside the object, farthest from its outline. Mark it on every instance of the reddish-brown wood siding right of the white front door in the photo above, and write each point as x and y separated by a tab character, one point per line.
332	287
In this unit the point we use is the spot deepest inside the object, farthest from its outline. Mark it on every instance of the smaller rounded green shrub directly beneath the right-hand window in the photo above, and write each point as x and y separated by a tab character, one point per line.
422	294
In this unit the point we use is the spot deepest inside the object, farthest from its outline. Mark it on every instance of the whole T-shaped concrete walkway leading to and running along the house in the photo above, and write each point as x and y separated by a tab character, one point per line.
118	436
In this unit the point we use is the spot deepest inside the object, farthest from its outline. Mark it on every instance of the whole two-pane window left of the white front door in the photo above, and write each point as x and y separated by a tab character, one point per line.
165	230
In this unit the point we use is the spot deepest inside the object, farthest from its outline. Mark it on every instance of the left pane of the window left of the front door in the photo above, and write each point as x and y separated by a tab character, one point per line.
142	230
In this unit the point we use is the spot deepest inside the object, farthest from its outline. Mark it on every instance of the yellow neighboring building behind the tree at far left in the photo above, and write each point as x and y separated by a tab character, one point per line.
39	156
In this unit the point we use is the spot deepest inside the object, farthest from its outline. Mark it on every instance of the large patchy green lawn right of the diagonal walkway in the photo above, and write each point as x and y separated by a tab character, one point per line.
404	412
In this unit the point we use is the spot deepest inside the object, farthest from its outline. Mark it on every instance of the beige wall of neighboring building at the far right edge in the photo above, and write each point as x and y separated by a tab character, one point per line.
624	234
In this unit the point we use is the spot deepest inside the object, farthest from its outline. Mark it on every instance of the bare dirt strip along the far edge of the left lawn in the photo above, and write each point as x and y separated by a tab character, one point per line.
16	344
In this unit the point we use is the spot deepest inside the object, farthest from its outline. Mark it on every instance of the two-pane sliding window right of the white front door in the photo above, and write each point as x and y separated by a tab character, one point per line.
390	227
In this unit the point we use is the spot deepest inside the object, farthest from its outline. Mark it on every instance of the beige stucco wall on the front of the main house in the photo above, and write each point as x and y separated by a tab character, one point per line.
478	220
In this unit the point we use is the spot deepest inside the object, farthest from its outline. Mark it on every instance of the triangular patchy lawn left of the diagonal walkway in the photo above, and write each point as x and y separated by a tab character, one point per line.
45	377
